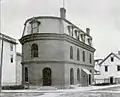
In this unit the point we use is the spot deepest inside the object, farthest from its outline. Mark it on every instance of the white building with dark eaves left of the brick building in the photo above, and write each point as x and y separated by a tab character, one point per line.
9	60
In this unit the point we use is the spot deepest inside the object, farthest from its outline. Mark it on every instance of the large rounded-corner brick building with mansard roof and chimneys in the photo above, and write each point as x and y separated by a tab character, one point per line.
56	52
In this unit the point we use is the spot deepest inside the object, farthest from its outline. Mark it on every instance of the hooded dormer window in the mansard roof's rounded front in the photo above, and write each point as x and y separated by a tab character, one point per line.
34	26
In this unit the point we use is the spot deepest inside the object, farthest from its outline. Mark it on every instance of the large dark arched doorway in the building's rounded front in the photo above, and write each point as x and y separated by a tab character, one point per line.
47	77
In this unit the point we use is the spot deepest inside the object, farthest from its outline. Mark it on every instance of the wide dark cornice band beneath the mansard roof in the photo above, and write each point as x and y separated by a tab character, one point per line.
55	36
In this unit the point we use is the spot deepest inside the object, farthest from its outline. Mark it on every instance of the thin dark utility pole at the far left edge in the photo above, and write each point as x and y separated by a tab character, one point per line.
1	61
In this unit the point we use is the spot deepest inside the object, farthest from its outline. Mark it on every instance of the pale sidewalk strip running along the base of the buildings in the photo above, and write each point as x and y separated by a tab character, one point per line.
75	89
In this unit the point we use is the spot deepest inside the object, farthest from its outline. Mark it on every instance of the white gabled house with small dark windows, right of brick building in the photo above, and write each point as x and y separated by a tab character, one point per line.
109	69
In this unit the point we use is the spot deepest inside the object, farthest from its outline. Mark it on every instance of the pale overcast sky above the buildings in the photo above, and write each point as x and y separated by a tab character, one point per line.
101	16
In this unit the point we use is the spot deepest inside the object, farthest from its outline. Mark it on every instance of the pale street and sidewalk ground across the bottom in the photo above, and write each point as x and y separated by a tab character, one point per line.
91	91
